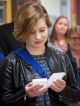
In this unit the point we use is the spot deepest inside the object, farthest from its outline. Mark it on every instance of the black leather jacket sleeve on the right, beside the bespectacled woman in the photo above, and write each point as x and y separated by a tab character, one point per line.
71	92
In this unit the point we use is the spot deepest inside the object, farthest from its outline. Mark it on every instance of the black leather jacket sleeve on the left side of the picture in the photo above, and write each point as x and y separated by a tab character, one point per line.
7	91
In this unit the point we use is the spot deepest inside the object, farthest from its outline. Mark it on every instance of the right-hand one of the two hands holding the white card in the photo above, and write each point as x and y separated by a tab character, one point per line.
58	85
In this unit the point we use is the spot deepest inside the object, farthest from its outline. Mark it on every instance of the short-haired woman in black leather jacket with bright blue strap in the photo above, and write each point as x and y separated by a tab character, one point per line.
36	61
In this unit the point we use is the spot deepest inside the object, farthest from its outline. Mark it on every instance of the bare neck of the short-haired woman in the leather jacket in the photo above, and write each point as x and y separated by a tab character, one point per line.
36	51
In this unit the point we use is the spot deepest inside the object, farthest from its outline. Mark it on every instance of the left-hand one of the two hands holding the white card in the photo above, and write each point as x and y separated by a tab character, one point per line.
33	90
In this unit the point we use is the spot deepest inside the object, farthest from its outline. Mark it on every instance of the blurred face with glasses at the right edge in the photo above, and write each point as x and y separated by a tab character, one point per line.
74	41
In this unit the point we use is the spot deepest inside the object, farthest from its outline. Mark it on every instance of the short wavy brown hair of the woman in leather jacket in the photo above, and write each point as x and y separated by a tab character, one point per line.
26	18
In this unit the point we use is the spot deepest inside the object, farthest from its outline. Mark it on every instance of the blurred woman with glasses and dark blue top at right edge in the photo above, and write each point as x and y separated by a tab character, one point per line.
74	51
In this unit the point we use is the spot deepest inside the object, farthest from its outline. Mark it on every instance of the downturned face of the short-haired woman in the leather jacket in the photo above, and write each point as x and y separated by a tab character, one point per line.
38	35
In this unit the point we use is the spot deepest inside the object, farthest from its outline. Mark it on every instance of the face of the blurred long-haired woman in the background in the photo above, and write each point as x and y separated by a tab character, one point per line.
61	26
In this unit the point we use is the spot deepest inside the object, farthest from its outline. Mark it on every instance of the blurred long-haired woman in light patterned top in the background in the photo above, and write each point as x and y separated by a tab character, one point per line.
59	33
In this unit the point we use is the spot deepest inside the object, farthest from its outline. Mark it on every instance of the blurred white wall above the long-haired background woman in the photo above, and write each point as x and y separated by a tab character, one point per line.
55	8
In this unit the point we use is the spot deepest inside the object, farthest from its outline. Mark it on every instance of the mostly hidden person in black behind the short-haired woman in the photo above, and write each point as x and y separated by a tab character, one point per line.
6	32
